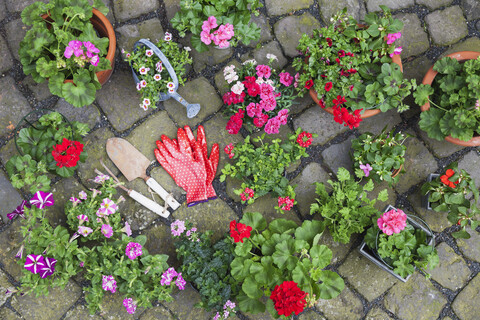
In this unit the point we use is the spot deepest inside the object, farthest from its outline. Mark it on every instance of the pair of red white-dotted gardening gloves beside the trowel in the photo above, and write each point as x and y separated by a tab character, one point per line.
186	161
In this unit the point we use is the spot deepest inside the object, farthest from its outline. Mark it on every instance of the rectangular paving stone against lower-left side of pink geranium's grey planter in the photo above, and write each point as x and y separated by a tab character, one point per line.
367	278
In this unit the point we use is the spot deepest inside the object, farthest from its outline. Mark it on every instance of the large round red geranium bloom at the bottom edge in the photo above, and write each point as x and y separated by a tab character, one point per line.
288	298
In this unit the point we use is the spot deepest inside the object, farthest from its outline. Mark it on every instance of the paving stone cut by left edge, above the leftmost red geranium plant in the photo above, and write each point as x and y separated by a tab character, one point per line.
13	105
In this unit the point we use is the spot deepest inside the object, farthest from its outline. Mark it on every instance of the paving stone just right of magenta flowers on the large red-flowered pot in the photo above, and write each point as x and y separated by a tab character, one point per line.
414	40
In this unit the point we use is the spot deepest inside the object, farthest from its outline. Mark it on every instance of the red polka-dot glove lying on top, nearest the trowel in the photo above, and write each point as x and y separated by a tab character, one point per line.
185	166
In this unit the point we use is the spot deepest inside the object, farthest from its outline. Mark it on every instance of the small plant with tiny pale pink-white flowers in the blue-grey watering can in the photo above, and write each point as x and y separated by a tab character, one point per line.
153	75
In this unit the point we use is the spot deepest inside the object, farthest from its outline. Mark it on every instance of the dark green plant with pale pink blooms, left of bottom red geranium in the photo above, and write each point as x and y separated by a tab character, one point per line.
207	267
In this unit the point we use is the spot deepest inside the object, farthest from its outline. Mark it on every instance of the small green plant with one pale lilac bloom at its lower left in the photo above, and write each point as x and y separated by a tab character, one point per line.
379	157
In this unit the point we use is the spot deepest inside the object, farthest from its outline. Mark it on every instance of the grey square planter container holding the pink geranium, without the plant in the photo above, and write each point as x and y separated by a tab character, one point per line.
375	258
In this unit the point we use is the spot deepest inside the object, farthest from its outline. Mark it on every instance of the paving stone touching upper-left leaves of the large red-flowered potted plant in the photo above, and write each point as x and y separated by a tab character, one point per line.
290	29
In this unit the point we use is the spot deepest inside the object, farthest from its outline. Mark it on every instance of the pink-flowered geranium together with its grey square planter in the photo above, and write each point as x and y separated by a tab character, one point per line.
401	246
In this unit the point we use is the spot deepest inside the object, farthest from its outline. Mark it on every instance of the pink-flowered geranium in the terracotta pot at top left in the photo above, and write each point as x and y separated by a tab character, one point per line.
63	47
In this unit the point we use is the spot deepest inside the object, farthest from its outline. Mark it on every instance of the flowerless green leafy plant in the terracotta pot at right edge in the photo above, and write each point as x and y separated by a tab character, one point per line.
454	98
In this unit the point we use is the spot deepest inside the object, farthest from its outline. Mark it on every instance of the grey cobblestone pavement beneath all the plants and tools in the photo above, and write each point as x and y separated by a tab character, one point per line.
433	28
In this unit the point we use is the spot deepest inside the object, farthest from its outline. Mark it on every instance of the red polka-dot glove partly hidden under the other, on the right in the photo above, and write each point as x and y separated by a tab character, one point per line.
211	163
